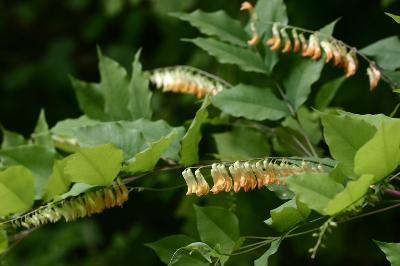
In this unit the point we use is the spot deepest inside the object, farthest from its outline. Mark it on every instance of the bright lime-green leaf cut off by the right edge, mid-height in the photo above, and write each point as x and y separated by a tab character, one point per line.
381	154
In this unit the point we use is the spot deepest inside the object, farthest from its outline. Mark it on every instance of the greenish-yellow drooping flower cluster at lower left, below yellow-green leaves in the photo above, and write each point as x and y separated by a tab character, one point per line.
76	207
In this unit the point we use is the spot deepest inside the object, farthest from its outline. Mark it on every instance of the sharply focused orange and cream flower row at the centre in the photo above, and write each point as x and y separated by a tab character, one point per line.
244	175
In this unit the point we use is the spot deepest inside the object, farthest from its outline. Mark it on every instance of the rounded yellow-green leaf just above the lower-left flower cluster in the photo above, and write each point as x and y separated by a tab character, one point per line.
95	166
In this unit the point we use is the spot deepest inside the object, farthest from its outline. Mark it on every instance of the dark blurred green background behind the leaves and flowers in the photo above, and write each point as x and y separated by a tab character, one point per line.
43	41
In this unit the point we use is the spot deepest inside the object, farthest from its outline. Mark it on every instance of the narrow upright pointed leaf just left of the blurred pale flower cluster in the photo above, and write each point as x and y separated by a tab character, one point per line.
139	104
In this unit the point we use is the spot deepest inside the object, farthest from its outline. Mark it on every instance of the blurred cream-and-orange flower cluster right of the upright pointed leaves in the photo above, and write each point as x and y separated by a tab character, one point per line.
185	79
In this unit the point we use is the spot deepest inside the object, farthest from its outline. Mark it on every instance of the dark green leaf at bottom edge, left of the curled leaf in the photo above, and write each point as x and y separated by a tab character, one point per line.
166	247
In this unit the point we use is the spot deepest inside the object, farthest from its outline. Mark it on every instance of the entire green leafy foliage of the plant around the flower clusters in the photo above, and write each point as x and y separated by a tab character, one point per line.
116	137
